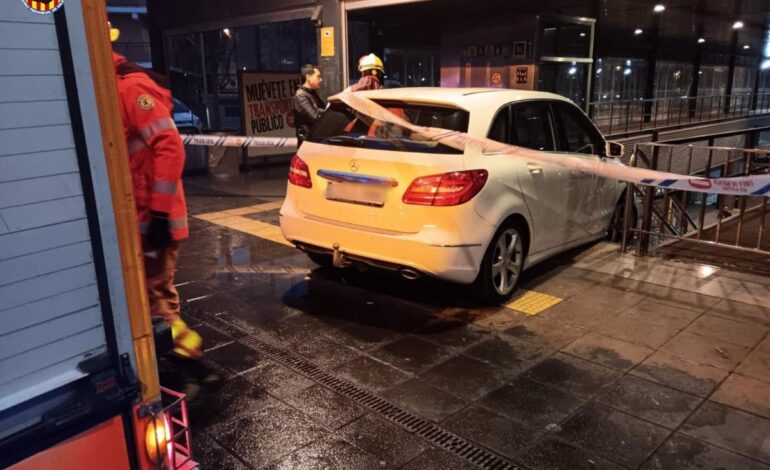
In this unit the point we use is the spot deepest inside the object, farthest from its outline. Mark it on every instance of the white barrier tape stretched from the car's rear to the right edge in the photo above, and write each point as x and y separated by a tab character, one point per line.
758	185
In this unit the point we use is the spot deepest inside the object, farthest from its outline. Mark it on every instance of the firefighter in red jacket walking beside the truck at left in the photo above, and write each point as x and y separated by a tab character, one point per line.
156	158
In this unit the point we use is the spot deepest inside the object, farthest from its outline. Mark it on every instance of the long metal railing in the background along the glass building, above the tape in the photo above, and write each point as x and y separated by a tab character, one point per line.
624	116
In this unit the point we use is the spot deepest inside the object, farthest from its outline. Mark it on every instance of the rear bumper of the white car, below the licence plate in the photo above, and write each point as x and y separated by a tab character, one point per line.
429	252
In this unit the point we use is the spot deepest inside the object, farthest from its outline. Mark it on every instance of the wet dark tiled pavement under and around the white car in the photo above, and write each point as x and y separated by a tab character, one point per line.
641	363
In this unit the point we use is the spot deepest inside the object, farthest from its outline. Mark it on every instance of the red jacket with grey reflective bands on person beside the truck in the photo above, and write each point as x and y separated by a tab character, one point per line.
155	150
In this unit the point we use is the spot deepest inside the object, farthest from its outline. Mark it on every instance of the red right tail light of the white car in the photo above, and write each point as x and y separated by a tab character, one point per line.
448	189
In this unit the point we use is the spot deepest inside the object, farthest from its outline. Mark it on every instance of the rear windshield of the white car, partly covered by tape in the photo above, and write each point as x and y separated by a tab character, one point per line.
341	125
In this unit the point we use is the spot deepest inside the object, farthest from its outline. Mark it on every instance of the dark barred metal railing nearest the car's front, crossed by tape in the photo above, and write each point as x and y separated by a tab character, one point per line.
668	222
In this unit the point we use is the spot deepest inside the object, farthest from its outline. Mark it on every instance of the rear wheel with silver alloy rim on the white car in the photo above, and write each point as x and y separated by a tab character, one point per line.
501	268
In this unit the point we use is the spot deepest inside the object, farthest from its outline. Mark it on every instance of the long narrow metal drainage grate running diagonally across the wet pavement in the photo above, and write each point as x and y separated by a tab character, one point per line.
410	422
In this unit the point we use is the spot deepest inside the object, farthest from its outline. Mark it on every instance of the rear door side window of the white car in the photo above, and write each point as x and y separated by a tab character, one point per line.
531	126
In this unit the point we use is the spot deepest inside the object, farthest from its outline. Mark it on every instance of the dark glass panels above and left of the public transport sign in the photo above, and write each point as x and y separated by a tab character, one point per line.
204	66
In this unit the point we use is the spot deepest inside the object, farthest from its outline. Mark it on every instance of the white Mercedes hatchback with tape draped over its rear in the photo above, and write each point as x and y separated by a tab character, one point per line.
365	192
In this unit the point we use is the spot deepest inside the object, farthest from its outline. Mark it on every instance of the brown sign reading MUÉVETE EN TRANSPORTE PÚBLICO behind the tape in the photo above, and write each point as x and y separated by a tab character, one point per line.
266	106
